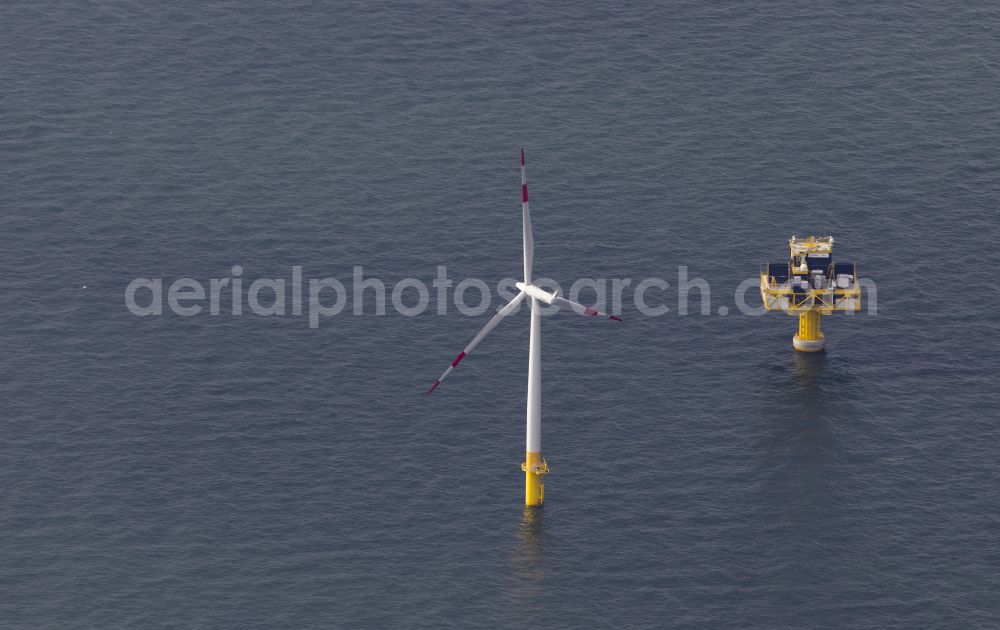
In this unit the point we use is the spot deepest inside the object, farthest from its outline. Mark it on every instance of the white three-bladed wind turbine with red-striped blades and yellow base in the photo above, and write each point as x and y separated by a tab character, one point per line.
534	466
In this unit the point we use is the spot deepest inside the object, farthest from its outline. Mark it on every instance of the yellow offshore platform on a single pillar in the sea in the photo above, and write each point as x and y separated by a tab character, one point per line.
810	285
